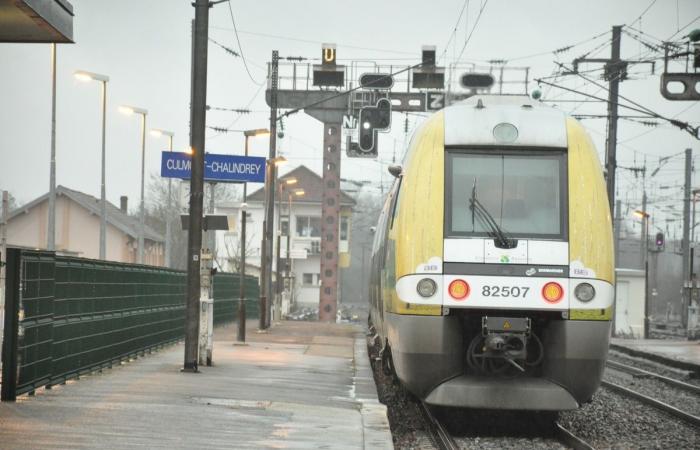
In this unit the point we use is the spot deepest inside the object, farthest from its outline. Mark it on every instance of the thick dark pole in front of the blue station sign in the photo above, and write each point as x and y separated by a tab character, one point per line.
194	237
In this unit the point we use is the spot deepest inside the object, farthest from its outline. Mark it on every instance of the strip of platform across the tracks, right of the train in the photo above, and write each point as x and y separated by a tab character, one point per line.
679	353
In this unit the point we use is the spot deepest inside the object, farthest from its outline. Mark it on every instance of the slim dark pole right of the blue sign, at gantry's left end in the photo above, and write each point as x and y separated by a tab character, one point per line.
266	275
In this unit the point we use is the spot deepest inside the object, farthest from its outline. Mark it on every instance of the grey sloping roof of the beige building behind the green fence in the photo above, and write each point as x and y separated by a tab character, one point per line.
125	223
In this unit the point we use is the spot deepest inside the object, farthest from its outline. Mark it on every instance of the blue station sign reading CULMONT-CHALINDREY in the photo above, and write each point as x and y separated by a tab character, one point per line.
222	168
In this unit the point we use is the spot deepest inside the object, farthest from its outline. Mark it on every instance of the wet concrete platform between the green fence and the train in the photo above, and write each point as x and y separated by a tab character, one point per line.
300	385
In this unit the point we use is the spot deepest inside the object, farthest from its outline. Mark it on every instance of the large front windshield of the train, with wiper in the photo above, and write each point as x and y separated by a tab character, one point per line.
524	192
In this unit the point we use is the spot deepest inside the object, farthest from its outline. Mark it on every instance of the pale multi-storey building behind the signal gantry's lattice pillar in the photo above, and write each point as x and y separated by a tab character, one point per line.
304	221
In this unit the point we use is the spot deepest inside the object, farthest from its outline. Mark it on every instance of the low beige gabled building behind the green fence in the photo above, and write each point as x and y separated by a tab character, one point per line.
78	228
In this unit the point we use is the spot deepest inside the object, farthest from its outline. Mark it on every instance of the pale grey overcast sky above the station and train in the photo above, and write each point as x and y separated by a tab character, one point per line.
144	47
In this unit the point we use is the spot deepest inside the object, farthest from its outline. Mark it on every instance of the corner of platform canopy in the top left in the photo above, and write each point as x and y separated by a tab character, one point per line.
36	21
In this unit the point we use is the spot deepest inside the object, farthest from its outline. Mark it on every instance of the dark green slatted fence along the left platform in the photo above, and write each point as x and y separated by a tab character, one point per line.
66	316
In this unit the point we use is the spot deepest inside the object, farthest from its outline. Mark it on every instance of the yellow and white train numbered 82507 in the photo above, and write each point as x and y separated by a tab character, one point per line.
492	273
